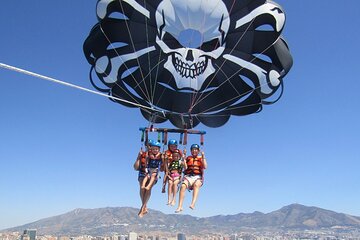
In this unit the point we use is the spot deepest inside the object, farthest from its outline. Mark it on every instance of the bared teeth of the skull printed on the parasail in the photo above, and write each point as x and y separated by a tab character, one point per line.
189	70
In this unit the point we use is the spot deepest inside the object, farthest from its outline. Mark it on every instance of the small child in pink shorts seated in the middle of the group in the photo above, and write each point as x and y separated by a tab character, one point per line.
174	170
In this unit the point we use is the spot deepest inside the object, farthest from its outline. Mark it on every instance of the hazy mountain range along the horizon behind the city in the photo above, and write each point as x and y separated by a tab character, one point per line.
106	221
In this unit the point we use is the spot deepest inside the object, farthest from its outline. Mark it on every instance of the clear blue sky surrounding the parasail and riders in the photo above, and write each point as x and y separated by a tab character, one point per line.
61	148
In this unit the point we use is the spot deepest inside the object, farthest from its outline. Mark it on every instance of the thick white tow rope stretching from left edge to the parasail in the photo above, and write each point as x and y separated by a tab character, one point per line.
19	70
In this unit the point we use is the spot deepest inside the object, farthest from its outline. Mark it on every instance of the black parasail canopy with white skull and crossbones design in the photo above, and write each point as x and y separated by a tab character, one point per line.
189	61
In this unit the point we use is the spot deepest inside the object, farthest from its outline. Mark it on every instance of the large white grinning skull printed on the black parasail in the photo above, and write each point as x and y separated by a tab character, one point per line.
189	38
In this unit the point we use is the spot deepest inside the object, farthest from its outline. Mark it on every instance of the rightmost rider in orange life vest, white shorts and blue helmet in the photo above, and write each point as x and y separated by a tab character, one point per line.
194	166
